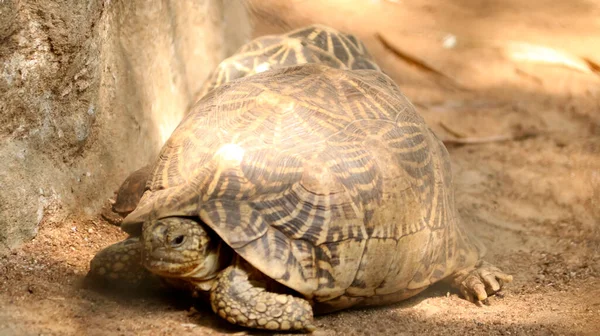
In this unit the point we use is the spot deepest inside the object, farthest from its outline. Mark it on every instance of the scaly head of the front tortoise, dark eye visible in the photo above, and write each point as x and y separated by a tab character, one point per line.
177	247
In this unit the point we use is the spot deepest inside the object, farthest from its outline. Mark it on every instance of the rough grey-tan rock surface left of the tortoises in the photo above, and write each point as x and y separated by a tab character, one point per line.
90	90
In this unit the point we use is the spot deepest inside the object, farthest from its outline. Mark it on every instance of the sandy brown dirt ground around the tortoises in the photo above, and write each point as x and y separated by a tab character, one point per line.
532	195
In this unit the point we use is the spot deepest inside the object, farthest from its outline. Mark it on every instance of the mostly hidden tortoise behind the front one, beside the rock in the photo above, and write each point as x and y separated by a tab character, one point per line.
311	44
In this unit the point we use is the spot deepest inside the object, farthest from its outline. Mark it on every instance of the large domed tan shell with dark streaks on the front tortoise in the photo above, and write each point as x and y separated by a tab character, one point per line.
326	180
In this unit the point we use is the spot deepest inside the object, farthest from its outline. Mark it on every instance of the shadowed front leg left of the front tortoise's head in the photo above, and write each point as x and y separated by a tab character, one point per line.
120	264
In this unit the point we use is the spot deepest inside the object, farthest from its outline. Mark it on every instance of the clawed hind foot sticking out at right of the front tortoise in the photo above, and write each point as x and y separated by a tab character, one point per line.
477	283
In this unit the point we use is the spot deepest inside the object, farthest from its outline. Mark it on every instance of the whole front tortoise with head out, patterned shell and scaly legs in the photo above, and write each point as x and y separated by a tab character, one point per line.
301	189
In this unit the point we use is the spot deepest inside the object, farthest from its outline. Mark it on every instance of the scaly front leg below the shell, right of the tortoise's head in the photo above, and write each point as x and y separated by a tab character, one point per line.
235	298
